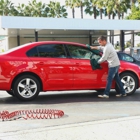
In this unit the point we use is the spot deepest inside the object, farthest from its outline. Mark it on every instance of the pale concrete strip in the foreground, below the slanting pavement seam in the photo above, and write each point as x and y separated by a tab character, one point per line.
127	128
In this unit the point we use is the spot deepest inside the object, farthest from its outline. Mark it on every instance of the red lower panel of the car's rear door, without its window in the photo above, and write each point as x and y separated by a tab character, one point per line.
58	72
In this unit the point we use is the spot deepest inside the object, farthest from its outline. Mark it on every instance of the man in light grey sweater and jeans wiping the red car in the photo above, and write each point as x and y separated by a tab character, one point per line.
110	55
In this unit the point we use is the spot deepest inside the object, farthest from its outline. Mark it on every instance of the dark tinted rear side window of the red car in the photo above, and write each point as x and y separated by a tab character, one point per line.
48	50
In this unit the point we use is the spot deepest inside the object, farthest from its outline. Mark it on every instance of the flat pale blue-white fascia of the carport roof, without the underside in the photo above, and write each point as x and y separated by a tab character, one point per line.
37	23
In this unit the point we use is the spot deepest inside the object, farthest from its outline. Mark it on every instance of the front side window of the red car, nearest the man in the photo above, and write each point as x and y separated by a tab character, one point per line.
79	52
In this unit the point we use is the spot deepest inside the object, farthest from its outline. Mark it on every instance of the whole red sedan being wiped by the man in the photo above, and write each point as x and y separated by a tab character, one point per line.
56	65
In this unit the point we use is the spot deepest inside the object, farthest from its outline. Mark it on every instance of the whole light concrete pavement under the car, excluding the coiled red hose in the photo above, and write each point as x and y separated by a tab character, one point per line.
86	118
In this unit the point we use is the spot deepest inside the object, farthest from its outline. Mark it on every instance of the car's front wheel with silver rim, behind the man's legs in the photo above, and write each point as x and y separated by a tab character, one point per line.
129	82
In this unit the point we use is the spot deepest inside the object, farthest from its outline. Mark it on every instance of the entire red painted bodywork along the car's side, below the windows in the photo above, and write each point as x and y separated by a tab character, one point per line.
58	73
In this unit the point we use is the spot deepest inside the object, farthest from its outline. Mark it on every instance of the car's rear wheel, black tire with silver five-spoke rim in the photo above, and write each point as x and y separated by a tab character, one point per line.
26	87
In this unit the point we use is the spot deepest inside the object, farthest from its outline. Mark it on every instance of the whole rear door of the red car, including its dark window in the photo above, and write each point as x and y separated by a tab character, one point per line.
51	60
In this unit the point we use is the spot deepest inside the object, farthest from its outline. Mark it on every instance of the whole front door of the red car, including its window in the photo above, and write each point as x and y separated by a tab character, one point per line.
84	76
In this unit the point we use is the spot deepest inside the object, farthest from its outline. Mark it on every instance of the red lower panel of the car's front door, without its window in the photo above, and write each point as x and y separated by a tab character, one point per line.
87	78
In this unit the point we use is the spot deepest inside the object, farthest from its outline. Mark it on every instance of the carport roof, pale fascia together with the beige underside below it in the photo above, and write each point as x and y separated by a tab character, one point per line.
13	26
